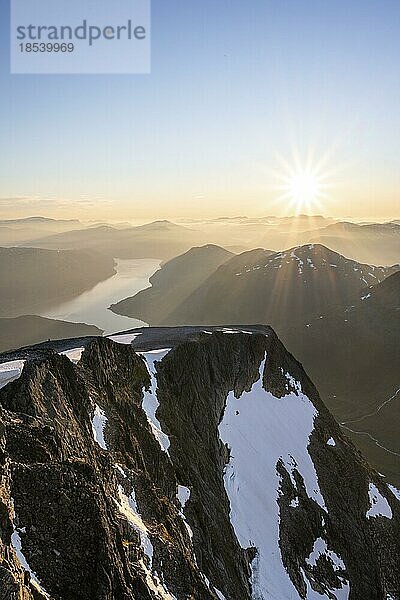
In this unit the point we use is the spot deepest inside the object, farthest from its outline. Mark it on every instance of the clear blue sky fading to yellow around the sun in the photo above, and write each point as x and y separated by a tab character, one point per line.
240	95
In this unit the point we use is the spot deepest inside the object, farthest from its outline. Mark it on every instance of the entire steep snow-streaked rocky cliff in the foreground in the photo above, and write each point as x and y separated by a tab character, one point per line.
202	468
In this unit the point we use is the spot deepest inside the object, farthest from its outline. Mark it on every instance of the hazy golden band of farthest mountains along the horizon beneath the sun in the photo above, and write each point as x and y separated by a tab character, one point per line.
374	243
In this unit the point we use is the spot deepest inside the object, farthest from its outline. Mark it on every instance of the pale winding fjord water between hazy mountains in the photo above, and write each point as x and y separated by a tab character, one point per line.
91	307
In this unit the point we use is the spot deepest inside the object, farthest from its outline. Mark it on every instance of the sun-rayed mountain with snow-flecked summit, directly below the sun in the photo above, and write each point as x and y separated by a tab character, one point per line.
260	286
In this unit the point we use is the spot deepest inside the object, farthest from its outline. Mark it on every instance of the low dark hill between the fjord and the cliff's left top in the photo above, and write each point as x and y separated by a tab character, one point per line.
28	330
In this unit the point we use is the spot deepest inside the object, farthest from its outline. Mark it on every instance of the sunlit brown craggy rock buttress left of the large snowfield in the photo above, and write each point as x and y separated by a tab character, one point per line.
65	489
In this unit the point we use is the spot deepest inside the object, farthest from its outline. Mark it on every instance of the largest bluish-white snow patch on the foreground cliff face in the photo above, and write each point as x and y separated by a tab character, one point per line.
265	431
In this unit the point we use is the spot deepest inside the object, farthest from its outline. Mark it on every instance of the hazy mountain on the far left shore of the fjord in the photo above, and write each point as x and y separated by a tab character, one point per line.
33	279
